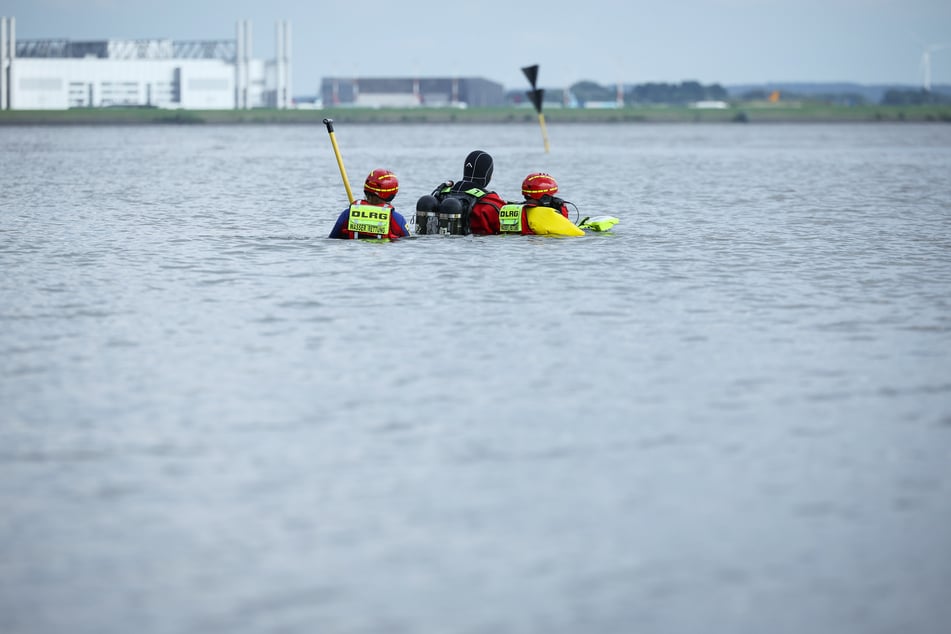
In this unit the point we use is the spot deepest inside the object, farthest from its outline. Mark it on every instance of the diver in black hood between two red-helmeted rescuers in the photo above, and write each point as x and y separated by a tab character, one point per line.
484	204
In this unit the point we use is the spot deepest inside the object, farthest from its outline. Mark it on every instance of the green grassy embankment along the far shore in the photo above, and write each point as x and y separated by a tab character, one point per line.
745	113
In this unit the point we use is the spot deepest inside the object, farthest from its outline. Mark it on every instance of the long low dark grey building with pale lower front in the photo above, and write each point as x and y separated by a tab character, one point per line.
375	92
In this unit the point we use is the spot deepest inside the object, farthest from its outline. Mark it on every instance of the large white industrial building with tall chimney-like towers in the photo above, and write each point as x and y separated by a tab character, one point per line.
218	74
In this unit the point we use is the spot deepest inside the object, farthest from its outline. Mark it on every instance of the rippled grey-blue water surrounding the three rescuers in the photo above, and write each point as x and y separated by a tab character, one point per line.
733	414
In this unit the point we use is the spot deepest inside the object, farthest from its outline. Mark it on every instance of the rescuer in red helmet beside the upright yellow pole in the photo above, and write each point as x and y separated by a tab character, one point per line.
373	218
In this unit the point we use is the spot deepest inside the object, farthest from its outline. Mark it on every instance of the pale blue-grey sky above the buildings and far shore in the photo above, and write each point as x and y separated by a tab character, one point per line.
607	41
